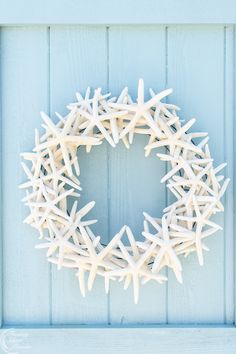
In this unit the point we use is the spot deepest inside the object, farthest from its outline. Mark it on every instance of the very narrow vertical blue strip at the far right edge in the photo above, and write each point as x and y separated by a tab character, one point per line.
229	157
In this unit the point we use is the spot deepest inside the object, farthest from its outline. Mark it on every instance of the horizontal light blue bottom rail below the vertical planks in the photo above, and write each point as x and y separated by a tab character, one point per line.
180	340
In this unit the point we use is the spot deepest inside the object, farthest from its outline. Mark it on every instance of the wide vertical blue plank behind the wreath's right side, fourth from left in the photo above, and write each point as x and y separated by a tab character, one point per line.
196	72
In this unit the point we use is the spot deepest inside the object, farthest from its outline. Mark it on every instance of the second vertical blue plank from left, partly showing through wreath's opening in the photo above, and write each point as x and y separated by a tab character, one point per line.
78	58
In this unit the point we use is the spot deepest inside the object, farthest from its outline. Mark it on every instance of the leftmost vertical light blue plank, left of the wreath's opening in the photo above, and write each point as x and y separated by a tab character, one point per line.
24	82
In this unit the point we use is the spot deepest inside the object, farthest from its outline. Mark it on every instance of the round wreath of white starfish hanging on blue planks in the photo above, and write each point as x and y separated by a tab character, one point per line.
52	169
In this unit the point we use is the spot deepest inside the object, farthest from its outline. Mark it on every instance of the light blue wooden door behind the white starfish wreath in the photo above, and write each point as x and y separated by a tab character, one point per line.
49	51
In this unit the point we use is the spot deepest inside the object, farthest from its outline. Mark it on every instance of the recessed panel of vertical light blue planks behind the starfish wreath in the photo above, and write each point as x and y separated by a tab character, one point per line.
200	69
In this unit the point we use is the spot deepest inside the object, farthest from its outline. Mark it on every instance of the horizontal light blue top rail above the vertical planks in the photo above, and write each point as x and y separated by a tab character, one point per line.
118	12
